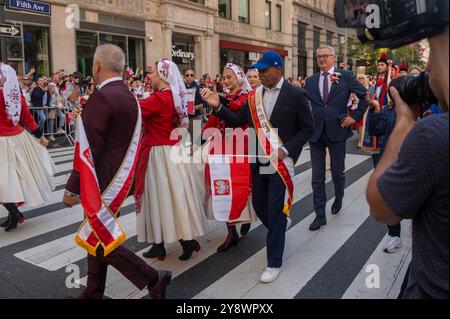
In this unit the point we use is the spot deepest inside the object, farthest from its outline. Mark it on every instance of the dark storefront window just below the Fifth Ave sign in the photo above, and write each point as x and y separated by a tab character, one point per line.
36	41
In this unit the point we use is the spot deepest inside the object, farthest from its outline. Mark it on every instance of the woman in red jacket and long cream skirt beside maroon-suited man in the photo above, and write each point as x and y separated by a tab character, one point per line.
169	205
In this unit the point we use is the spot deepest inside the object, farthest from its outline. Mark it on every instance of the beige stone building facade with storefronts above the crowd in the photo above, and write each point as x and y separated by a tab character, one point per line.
200	34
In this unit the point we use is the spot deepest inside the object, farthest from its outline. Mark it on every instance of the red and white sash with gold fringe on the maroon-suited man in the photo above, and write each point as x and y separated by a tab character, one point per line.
101	226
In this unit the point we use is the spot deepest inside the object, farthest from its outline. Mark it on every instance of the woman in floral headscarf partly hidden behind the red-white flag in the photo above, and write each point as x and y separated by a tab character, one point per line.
238	88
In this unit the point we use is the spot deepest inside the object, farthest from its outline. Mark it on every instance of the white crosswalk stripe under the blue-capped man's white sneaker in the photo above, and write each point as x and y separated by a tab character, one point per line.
301	260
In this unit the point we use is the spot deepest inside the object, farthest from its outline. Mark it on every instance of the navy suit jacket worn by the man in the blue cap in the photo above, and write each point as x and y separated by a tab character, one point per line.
291	116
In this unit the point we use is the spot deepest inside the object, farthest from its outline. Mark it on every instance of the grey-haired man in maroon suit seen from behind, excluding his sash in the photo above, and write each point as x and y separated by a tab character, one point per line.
109	118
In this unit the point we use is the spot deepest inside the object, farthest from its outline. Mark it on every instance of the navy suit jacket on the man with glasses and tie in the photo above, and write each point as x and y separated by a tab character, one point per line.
335	111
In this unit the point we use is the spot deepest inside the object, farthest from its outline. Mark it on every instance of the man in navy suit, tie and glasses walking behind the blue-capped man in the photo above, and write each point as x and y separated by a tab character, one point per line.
329	92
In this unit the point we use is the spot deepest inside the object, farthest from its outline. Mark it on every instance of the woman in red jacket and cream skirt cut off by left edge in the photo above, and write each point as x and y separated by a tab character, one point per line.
26	169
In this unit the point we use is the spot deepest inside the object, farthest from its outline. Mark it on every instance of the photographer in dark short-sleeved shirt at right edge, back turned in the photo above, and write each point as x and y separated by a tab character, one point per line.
411	180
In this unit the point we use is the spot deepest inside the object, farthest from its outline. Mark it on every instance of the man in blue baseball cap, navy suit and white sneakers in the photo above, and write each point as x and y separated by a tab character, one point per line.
287	109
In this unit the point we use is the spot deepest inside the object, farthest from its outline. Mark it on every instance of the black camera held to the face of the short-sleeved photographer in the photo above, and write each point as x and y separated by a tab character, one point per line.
415	90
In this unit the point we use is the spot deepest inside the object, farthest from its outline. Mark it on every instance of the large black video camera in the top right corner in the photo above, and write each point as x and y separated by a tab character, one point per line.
392	23
